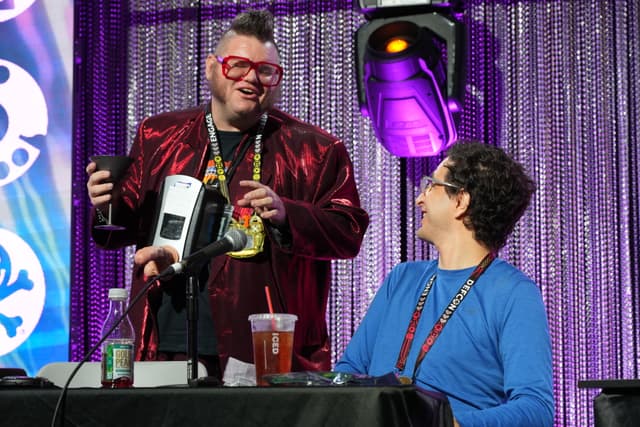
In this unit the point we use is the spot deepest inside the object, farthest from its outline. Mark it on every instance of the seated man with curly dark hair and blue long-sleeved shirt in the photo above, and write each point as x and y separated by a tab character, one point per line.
468	324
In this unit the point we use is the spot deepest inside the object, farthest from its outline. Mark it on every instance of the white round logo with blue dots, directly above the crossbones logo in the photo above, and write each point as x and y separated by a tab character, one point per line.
23	114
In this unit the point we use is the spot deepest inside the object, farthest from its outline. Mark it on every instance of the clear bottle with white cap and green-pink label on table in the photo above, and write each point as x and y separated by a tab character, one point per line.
117	349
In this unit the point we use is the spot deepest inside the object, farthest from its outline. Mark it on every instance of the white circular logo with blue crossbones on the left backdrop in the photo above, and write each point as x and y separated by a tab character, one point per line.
22	291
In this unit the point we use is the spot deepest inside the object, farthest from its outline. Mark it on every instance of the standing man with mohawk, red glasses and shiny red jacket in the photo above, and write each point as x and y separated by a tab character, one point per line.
290	178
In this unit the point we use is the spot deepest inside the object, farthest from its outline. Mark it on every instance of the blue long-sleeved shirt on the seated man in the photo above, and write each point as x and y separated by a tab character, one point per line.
492	359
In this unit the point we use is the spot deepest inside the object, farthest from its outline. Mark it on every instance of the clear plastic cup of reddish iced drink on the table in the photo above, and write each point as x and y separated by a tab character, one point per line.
272	343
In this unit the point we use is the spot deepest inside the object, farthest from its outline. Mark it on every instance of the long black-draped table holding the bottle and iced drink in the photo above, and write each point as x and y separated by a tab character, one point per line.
228	406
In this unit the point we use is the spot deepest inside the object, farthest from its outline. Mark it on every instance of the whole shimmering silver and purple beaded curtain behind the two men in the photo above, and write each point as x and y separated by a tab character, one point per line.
552	82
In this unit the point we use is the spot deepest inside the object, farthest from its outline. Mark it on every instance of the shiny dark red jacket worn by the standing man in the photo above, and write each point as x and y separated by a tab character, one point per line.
312	173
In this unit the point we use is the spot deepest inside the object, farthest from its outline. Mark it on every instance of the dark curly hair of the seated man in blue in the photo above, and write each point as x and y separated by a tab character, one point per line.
500	189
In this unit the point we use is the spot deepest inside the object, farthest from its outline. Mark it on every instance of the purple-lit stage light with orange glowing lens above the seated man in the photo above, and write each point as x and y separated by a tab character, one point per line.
410	81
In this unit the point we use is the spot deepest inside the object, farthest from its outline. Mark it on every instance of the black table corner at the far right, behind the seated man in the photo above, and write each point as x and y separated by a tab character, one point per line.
618	404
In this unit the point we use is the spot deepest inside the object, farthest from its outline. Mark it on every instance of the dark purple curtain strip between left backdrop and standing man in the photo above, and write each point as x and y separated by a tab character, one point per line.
100	89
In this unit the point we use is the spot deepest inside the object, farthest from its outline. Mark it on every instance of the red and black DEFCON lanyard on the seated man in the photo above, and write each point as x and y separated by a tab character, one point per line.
444	317
